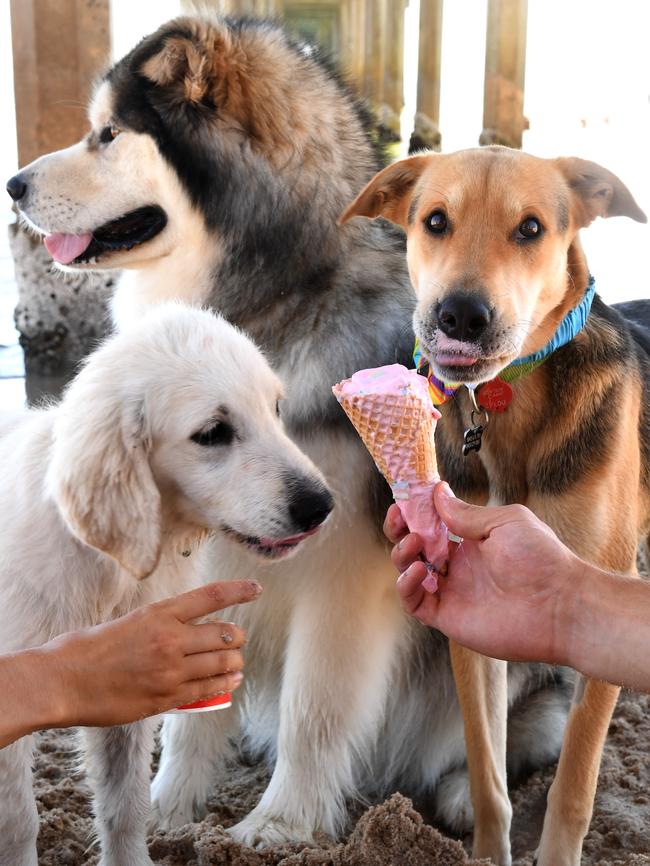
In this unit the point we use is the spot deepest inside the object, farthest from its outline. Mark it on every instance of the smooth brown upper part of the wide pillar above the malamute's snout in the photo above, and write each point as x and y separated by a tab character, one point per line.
59	47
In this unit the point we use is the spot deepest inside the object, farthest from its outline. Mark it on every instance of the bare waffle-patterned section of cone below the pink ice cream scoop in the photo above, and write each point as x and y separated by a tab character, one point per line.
398	431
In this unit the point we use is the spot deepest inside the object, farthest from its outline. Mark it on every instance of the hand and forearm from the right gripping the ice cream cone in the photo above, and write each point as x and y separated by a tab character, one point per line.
514	591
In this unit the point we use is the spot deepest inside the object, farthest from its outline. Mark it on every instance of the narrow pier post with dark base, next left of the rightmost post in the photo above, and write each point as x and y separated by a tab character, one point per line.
426	127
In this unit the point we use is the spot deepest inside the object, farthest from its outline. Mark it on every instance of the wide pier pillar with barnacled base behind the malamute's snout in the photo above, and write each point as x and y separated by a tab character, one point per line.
59	47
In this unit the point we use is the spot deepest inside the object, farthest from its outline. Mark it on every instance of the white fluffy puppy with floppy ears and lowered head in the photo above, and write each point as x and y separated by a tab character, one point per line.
170	431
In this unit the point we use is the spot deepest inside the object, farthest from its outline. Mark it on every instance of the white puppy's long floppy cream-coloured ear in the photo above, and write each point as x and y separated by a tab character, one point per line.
100	478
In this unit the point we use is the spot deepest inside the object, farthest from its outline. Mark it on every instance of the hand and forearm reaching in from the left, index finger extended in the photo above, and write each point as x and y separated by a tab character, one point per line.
139	665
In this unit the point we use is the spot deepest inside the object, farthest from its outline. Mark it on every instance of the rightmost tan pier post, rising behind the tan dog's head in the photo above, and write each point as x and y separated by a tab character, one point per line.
505	66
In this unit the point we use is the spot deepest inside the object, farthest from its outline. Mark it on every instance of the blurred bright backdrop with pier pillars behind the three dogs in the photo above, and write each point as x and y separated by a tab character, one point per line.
568	77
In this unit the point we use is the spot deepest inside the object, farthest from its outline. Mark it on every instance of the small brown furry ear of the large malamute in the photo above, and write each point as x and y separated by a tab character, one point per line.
182	61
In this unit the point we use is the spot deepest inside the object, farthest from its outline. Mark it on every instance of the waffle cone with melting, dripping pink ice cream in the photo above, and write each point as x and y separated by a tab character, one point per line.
391	410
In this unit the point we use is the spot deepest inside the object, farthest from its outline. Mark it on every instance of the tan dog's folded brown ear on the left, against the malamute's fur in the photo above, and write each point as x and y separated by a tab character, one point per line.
389	193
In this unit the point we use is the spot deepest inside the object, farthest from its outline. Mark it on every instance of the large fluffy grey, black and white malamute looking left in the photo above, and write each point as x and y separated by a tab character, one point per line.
251	147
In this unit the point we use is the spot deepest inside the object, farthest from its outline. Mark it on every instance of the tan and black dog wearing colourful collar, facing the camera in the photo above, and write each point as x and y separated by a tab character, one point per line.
495	258
